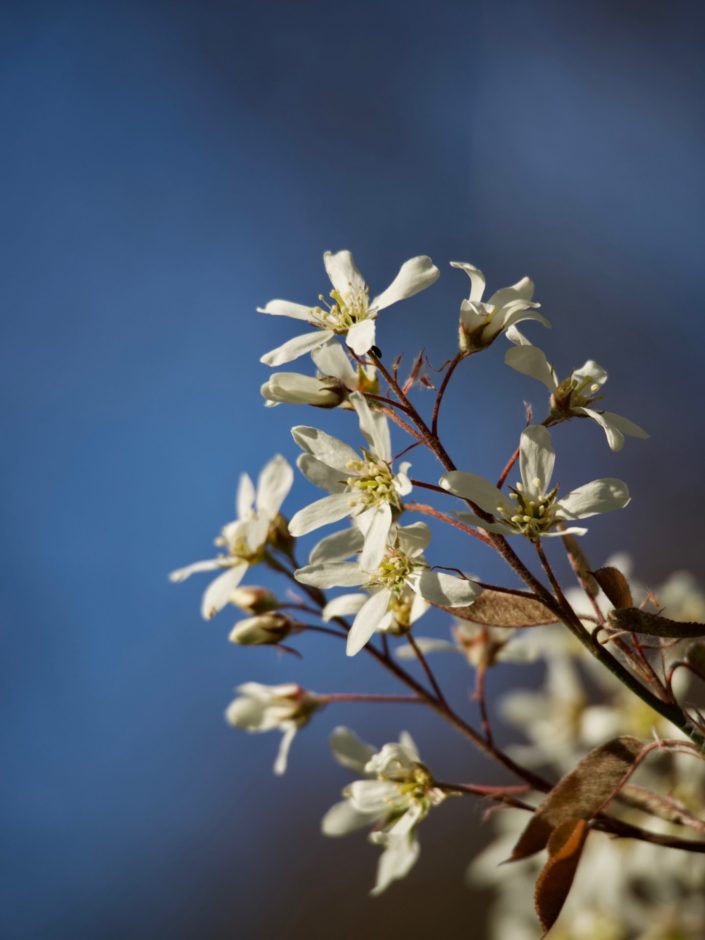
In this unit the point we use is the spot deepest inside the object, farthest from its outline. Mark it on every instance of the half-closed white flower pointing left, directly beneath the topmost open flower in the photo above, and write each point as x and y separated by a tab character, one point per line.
335	380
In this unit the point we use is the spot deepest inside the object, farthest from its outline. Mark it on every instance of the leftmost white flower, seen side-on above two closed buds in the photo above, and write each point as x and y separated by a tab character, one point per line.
245	539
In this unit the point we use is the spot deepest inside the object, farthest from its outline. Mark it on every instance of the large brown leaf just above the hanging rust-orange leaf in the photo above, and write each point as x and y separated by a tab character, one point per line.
580	794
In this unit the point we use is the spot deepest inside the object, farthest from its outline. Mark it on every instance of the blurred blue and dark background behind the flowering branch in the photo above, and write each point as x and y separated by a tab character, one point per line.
166	168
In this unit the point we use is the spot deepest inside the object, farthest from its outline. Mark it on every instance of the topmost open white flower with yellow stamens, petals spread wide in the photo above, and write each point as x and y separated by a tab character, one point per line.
351	313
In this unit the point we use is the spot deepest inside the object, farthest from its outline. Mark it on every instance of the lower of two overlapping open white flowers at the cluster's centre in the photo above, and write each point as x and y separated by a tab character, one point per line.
400	587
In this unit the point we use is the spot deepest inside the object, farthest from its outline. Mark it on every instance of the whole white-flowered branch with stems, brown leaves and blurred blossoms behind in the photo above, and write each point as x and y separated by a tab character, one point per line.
635	647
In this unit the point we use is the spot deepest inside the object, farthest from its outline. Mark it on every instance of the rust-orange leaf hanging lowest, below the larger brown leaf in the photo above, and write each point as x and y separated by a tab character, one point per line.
553	884
